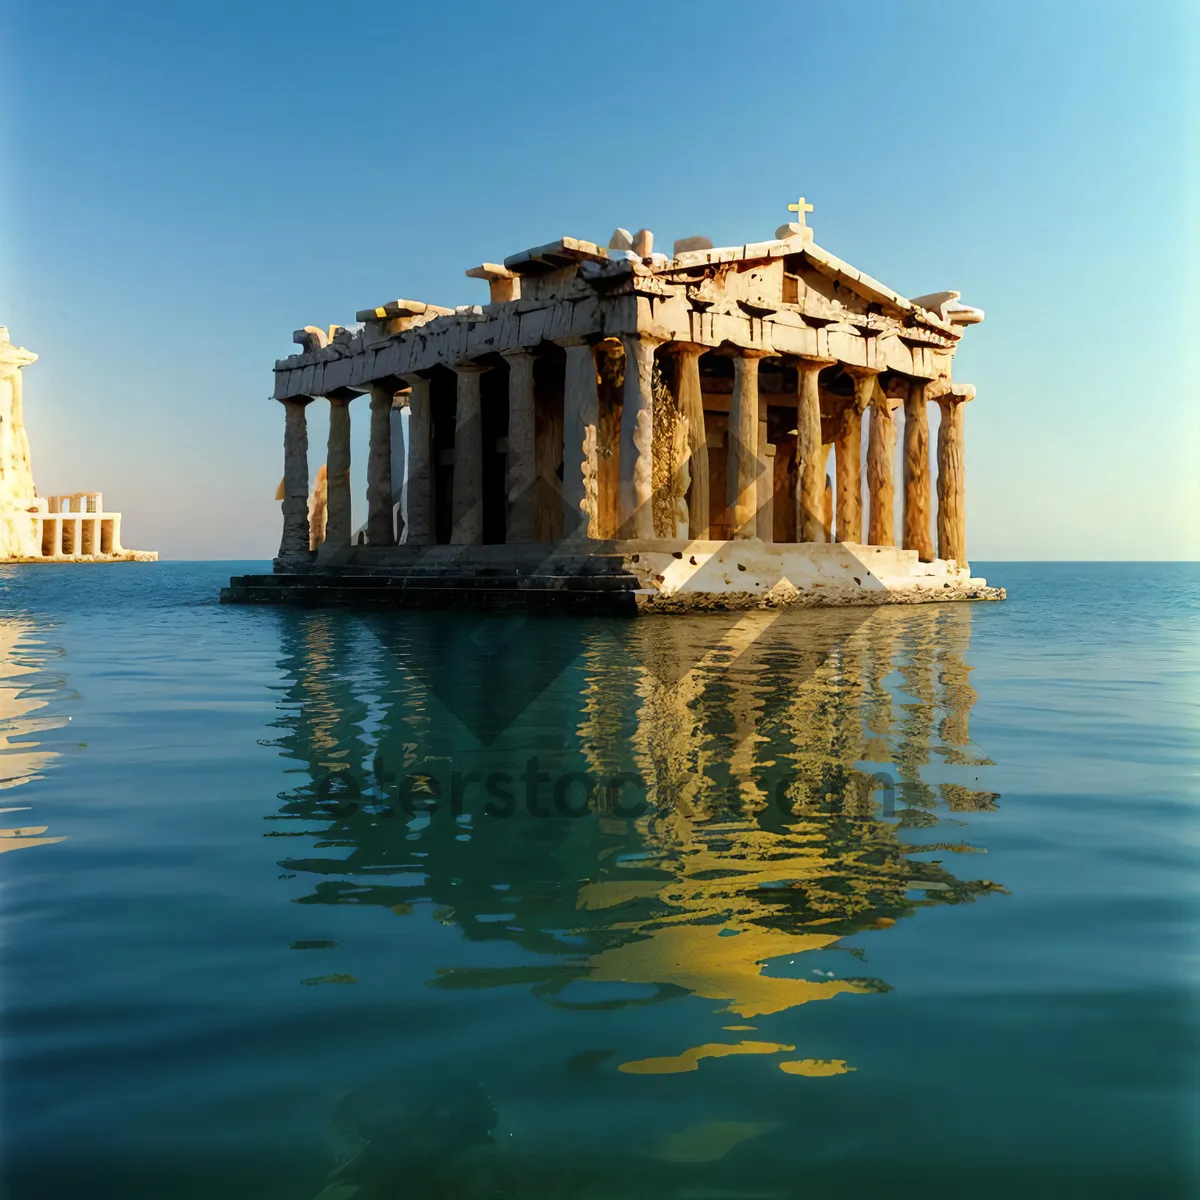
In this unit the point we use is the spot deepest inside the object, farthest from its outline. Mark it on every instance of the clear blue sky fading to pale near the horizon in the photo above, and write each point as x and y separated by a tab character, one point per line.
185	184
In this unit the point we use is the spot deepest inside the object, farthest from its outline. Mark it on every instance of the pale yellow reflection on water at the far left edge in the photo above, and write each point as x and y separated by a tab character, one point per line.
22	761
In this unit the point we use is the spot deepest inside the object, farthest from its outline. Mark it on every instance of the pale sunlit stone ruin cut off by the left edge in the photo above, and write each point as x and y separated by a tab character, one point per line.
46	529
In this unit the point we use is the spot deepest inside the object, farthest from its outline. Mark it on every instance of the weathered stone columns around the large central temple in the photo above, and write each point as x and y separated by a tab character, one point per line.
748	467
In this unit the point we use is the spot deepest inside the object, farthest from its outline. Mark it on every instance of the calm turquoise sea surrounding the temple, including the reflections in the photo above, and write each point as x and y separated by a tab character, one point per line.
860	903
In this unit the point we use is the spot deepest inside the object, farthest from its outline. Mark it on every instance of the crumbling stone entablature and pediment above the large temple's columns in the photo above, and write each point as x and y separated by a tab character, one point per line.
784	297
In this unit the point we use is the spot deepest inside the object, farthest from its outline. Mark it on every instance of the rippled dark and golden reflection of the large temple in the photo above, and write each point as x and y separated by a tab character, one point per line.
691	799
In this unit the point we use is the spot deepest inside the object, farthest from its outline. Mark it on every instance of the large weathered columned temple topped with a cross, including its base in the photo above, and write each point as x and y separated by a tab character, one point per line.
625	429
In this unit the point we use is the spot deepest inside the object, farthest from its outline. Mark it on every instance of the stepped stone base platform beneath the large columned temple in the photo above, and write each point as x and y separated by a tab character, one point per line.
620	578
